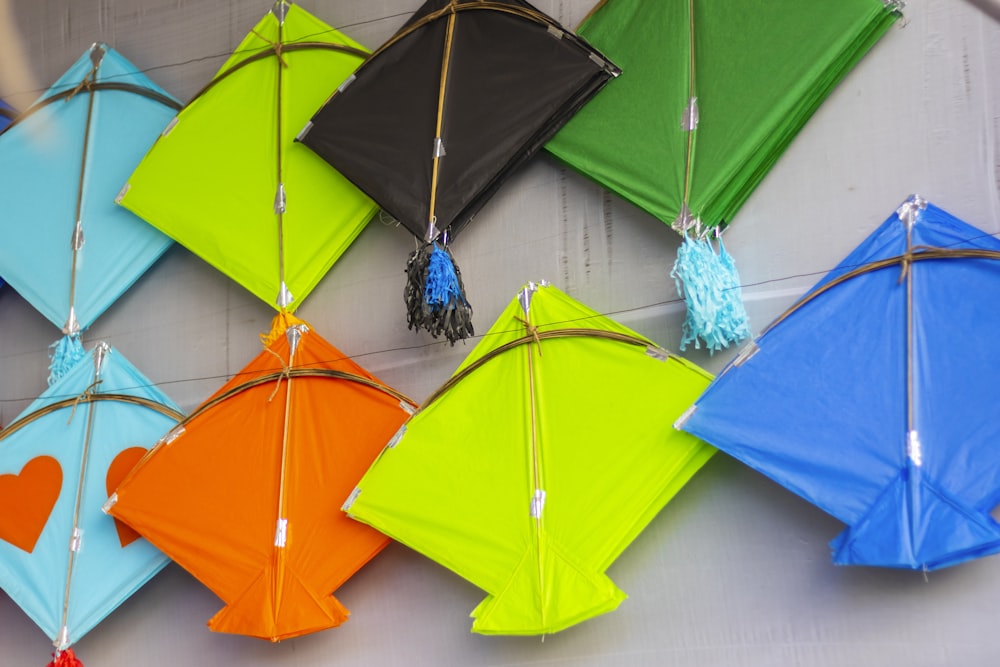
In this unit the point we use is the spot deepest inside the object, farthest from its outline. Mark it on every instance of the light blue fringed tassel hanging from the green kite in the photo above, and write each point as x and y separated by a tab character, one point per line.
710	286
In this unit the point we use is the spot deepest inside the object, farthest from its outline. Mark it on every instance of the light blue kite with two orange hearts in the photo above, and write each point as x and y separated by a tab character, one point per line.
64	562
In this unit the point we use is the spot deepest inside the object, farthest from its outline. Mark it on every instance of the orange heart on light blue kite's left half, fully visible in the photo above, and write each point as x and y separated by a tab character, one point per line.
27	500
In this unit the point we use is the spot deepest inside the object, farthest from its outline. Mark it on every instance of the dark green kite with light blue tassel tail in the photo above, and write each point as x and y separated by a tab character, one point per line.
713	93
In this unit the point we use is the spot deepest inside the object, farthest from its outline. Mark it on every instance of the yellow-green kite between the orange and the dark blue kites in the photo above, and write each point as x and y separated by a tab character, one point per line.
531	493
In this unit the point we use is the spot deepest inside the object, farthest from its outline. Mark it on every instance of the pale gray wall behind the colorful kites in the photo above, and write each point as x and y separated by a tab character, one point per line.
736	570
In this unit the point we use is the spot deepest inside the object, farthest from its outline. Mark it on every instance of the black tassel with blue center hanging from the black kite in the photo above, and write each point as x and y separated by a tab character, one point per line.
435	296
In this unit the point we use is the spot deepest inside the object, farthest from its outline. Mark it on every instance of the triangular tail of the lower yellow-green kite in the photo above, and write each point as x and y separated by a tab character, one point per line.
545	597
